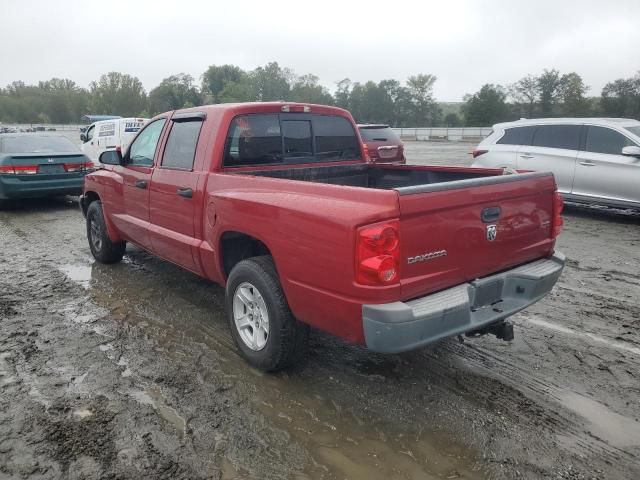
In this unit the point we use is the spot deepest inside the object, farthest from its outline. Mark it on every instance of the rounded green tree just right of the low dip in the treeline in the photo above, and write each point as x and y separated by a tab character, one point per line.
485	107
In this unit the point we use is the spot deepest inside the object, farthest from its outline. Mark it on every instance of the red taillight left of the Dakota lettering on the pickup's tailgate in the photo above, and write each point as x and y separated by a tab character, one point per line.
378	254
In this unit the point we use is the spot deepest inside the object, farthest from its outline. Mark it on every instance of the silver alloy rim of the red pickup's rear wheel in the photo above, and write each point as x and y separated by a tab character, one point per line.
251	316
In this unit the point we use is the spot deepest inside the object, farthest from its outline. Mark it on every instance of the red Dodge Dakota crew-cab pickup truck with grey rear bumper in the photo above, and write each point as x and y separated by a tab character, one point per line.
277	202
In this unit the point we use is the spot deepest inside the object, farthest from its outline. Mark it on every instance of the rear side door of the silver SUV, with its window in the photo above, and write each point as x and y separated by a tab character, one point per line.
554	148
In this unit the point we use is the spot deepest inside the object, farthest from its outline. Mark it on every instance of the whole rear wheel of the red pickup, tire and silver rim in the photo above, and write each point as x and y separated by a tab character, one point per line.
262	325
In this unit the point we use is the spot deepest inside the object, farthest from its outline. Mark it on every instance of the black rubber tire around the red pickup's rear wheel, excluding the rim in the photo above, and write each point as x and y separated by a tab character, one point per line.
287	338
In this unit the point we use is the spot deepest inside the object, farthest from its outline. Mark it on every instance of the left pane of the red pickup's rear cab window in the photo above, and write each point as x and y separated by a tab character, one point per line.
253	140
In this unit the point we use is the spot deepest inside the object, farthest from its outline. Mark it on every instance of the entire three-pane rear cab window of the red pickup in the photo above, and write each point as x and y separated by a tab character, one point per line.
272	139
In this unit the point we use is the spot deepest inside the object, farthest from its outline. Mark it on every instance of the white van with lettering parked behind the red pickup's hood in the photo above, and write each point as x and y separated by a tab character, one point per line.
110	134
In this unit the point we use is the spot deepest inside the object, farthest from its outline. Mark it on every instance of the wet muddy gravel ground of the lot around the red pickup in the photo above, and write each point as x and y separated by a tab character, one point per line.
128	371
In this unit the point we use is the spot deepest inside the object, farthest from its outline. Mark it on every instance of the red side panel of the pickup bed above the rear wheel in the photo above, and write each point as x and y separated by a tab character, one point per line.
310	230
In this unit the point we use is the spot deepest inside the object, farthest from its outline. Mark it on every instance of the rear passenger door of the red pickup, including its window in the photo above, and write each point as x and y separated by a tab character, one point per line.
175	200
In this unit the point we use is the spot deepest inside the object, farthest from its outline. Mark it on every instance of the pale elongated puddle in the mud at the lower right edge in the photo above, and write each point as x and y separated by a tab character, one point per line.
617	430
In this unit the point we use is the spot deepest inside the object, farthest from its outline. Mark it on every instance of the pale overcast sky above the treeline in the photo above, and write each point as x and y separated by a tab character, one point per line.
464	43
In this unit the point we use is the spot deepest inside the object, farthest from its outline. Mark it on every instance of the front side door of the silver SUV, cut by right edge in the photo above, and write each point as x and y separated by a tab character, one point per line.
602	171
